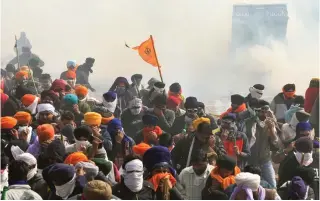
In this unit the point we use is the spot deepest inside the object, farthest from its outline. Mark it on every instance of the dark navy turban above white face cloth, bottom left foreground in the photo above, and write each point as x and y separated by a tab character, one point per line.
60	173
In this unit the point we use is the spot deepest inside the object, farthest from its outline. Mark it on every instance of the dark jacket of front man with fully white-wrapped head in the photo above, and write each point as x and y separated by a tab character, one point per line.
124	193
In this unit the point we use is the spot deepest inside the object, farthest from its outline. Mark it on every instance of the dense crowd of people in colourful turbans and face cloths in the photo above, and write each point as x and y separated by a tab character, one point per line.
143	142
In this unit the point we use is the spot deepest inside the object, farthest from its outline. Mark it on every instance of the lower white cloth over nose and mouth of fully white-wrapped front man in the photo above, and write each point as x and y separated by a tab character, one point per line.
134	181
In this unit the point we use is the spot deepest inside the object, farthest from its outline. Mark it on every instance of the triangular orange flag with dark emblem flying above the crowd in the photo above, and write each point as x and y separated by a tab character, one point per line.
147	52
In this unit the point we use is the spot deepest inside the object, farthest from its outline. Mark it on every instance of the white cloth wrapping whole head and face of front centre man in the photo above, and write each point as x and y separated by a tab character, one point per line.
133	176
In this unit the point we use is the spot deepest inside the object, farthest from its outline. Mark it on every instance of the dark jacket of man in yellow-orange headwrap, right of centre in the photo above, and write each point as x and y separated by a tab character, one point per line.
180	152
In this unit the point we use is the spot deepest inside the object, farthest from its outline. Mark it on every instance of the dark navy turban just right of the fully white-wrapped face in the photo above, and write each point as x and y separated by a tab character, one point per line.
157	156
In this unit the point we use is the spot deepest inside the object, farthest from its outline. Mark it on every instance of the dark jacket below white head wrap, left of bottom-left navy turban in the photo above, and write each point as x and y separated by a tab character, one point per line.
39	185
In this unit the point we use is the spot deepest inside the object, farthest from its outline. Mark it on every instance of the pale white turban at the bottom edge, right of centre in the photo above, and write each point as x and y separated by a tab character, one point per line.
248	180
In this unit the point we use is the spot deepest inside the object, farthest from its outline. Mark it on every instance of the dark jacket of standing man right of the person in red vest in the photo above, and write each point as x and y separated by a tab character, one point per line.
261	149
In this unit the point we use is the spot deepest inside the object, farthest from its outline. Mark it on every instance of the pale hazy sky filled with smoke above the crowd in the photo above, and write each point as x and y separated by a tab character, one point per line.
191	39
